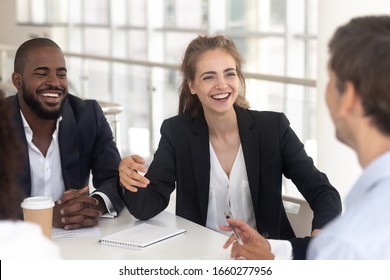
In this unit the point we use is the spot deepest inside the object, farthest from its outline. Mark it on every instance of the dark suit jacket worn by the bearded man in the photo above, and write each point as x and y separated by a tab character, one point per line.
86	144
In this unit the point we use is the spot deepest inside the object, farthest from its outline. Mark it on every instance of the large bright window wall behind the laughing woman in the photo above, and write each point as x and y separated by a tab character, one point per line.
137	47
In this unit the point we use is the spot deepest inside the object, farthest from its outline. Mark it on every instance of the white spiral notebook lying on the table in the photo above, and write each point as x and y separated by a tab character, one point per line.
140	236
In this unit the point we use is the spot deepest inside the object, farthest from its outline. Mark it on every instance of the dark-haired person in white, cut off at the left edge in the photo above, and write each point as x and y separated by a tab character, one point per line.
18	239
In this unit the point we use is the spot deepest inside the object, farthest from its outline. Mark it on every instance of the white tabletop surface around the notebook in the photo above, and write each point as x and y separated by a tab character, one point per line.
197	243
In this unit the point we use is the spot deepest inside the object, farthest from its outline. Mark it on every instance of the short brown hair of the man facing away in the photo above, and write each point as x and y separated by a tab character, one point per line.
360	53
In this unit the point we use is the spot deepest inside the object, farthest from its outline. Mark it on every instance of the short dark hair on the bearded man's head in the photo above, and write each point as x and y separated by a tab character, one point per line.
26	47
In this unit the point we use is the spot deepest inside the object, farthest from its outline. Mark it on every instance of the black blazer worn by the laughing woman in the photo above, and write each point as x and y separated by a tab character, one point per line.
270	148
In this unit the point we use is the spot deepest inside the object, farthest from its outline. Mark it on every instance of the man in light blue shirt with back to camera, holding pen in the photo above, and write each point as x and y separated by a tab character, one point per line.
358	99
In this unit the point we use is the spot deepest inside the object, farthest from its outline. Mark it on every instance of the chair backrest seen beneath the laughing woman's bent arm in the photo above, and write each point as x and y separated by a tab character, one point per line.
299	214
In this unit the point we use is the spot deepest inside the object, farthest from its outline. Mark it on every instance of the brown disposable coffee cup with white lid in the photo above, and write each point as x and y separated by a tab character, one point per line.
39	210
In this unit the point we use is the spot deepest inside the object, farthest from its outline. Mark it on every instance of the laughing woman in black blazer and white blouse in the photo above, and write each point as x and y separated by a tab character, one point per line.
221	156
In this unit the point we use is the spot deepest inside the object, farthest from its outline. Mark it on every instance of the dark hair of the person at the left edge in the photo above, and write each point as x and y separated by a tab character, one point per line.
10	155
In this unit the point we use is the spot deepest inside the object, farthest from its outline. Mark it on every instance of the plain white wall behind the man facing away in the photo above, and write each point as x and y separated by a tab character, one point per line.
338	161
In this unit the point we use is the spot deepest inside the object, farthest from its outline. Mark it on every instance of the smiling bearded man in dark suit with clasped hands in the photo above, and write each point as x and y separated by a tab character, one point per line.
64	138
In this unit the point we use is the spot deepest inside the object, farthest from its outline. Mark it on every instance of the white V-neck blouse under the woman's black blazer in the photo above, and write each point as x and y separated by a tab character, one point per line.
229	193
